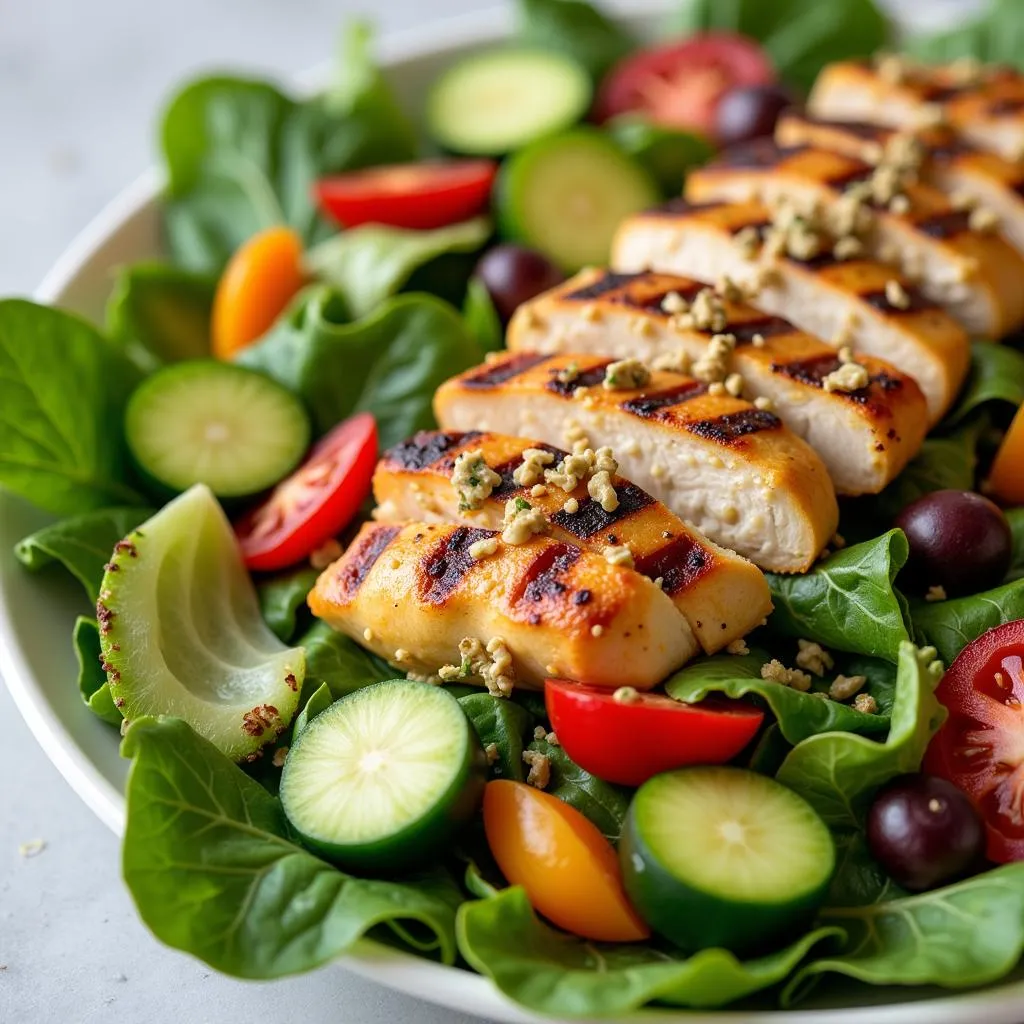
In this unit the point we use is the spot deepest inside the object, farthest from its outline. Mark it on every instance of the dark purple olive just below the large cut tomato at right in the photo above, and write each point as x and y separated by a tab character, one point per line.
925	832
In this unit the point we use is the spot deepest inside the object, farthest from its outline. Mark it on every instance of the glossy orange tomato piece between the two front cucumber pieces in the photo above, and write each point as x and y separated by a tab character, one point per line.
570	871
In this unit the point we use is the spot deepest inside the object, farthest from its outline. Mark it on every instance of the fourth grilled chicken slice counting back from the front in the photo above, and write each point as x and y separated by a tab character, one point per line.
866	436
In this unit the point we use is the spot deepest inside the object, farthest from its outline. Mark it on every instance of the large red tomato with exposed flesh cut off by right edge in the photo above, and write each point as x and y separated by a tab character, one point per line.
980	748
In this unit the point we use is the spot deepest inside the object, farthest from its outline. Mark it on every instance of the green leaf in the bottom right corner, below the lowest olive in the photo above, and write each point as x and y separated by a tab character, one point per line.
968	934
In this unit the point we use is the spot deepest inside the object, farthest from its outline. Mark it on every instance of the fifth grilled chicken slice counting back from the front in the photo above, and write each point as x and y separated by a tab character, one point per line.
842	303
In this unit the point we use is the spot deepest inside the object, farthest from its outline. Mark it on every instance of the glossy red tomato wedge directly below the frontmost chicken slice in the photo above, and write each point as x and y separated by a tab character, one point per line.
630	743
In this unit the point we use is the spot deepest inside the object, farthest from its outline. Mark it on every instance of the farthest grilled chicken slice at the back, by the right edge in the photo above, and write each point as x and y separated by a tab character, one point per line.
984	105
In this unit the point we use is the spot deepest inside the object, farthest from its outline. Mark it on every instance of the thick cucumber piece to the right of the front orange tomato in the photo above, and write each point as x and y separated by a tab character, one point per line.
724	858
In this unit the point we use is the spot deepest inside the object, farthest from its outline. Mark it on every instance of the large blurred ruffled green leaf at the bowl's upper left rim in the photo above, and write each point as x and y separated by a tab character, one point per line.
242	156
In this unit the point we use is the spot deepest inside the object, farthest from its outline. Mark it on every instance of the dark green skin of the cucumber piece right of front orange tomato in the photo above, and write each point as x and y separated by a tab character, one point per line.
695	920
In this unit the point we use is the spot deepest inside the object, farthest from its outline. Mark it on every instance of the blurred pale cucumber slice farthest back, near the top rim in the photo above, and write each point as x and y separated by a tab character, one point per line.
496	102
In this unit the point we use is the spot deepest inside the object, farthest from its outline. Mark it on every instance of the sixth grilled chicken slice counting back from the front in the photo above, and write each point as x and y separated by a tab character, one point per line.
975	276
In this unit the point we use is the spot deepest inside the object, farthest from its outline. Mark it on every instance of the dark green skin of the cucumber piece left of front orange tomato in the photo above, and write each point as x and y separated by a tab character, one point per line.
418	843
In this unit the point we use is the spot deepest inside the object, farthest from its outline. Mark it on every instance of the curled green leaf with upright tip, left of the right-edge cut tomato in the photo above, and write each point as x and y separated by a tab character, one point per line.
838	773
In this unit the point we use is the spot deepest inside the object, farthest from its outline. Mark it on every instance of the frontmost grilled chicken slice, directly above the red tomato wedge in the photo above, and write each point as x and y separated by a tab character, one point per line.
412	593
